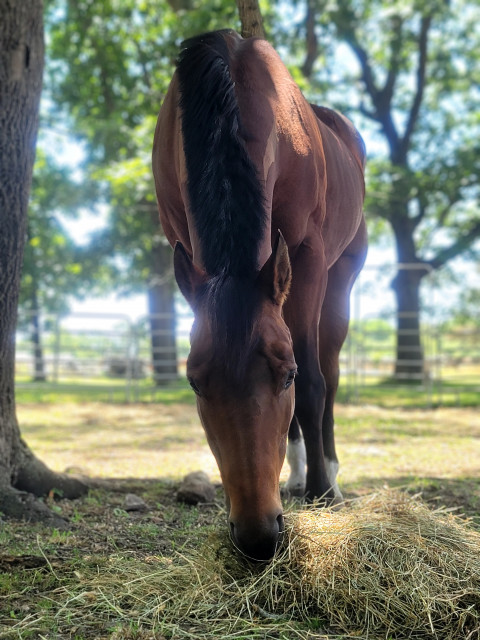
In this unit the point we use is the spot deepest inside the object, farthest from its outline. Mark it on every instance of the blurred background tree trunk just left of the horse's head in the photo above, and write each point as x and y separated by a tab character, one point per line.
161	308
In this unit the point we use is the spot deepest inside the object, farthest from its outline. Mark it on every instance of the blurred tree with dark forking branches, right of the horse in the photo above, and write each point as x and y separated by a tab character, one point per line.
416	82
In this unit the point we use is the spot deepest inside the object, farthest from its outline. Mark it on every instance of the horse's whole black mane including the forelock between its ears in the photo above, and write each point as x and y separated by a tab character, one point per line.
226	197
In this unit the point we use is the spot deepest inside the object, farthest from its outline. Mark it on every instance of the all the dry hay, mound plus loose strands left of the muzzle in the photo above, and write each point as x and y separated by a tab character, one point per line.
385	566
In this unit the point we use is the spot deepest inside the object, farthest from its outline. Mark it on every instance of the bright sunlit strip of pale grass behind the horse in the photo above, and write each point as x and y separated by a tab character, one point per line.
375	445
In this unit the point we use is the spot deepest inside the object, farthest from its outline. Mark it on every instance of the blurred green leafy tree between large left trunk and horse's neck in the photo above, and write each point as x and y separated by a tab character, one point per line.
109	67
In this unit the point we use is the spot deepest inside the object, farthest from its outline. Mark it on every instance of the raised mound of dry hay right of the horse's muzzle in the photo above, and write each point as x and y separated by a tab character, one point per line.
386	566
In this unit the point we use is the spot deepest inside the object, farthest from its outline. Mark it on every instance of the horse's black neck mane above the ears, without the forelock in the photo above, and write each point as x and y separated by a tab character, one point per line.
225	194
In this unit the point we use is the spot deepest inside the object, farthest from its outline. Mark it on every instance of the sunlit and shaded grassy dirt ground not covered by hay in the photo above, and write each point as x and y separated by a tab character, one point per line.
46	575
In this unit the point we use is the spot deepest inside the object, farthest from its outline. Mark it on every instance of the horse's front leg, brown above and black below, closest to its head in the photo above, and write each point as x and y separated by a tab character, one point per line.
302	314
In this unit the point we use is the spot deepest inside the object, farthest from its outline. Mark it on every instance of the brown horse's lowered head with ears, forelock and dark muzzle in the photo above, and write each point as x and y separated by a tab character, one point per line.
242	368
